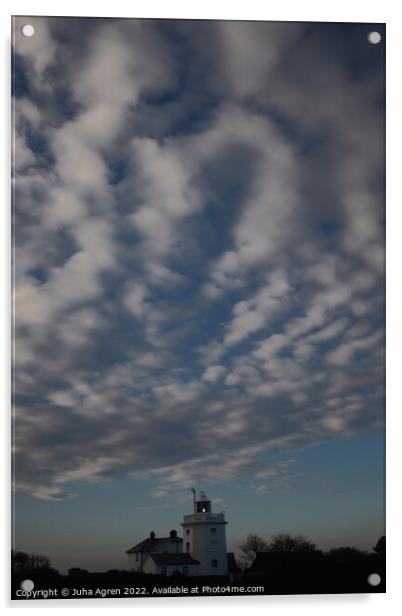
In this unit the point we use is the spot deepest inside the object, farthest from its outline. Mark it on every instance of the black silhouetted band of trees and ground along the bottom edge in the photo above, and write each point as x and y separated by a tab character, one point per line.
284	565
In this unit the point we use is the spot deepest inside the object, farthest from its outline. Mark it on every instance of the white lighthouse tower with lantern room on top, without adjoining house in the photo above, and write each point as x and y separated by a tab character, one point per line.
204	537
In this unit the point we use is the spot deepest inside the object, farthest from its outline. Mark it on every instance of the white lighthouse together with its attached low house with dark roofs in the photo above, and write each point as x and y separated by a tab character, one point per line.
202	551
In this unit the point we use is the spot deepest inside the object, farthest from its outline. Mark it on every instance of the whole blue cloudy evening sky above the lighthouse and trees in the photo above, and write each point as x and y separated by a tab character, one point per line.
198	281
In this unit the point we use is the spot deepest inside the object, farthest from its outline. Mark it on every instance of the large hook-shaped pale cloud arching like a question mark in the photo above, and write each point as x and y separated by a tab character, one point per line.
263	224
